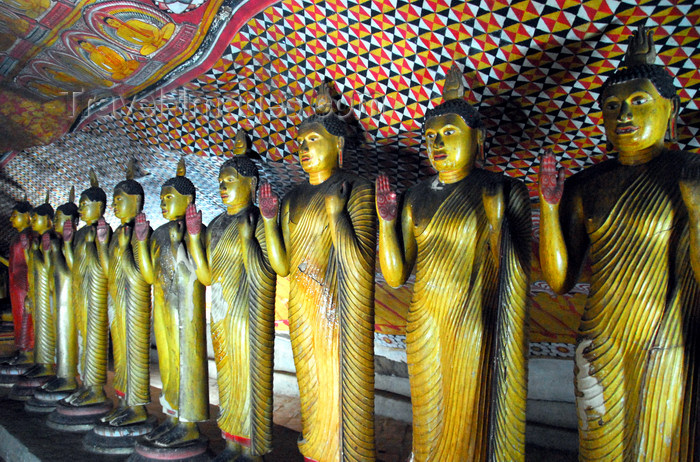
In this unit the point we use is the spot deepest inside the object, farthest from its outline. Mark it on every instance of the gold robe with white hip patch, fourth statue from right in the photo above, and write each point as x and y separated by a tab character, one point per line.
242	331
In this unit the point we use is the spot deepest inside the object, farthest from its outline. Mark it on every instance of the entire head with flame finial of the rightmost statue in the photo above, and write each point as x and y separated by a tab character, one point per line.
639	102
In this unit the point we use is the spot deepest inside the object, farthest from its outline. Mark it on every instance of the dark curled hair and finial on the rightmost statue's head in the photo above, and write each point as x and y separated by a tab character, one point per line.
639	64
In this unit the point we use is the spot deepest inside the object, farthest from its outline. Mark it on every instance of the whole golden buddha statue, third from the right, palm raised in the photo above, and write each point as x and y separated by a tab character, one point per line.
325	243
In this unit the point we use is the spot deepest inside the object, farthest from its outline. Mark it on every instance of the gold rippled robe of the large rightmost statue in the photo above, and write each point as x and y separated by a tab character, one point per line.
636	371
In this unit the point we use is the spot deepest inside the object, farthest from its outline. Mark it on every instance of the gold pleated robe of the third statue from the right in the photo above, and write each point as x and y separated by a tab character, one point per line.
331	319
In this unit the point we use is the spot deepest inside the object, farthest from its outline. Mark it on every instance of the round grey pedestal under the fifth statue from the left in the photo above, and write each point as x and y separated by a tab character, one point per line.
109	439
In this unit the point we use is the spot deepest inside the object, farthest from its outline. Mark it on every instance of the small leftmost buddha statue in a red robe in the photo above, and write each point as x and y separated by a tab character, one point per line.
20	219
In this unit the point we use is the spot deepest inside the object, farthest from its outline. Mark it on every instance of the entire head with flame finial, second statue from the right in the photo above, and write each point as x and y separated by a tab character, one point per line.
454	132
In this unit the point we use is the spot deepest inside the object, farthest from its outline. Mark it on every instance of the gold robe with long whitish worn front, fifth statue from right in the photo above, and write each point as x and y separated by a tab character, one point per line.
179	324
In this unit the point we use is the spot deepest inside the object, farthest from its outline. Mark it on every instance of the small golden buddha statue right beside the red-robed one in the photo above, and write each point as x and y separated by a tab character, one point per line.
40	282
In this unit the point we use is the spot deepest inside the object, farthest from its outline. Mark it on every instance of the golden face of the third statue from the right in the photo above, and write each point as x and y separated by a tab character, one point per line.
319	150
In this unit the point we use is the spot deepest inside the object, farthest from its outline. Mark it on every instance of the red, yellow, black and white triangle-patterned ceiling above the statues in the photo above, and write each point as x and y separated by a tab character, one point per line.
533	68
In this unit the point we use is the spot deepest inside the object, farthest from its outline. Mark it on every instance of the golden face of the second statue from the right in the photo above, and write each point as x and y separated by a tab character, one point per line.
452	144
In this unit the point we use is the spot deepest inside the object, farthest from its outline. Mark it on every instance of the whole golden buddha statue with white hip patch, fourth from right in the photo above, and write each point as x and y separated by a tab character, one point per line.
233	261
